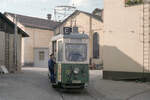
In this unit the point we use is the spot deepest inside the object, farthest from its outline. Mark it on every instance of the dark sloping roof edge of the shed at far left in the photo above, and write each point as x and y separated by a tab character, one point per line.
20	31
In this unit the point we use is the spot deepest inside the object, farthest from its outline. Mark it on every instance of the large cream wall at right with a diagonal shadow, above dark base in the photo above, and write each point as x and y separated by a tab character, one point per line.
123	47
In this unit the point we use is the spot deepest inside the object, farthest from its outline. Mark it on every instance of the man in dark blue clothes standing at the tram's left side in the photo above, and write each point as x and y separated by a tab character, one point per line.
51	64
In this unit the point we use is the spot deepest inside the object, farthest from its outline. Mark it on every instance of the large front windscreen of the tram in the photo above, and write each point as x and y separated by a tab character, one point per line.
76	52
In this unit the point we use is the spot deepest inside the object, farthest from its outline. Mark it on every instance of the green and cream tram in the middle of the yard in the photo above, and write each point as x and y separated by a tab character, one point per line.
72	60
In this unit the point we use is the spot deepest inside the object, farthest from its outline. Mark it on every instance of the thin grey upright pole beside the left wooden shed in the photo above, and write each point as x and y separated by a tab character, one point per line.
15	43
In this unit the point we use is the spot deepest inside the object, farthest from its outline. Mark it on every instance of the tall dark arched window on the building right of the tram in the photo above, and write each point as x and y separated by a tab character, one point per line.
95	45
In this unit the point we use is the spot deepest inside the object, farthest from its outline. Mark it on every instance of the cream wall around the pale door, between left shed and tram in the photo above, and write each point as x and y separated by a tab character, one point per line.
39	38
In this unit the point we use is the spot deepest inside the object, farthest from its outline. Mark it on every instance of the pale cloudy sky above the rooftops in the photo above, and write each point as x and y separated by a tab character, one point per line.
40	8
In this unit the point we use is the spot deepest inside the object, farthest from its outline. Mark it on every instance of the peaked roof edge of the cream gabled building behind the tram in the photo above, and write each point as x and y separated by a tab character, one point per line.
78	12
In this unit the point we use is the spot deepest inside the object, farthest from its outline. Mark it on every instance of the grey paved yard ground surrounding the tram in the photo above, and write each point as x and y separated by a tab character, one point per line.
33	84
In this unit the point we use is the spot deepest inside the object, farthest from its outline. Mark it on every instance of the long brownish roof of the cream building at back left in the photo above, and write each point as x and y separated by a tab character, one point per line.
35	22
